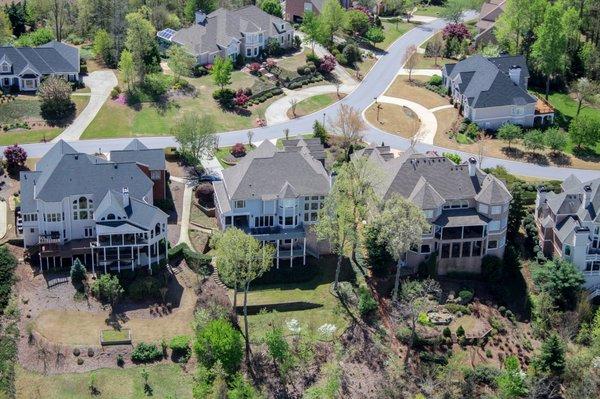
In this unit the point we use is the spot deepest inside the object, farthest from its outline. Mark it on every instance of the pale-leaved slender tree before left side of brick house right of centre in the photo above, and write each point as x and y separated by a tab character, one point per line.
401	227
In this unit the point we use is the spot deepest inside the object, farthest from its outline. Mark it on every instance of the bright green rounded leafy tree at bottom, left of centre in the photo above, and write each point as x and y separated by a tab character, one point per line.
220	342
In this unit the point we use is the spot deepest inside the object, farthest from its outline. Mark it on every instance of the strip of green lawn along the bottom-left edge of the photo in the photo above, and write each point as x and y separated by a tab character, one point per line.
165	381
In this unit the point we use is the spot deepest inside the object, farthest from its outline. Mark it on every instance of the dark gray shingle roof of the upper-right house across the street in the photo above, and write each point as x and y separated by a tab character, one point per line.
485	82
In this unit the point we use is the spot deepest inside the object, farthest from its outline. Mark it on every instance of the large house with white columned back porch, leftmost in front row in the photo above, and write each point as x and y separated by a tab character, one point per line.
76	205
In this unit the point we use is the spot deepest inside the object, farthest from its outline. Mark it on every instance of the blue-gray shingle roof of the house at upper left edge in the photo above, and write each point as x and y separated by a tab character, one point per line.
50	58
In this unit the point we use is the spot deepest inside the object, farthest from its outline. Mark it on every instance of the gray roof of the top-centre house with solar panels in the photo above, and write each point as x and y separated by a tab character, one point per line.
222	26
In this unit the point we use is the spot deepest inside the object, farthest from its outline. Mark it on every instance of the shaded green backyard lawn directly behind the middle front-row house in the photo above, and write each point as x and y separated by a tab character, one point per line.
315	291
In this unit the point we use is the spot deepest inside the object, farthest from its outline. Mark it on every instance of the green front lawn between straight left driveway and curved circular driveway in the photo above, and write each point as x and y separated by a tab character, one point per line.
152	119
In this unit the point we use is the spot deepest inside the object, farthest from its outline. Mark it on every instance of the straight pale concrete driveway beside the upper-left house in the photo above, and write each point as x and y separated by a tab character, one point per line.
100	84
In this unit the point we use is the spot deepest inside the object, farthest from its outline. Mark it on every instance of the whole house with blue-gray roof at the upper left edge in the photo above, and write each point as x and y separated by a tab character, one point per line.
23	68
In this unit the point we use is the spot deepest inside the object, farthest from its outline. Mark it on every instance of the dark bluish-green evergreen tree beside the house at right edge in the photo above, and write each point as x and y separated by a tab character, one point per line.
561	279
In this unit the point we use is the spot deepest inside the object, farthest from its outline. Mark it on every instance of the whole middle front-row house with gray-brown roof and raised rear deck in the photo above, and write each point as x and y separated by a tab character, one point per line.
275	195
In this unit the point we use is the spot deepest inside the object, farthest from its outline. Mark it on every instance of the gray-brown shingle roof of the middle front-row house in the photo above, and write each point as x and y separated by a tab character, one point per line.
266	171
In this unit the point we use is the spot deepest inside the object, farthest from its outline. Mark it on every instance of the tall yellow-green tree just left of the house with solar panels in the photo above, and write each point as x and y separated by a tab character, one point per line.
141	42
